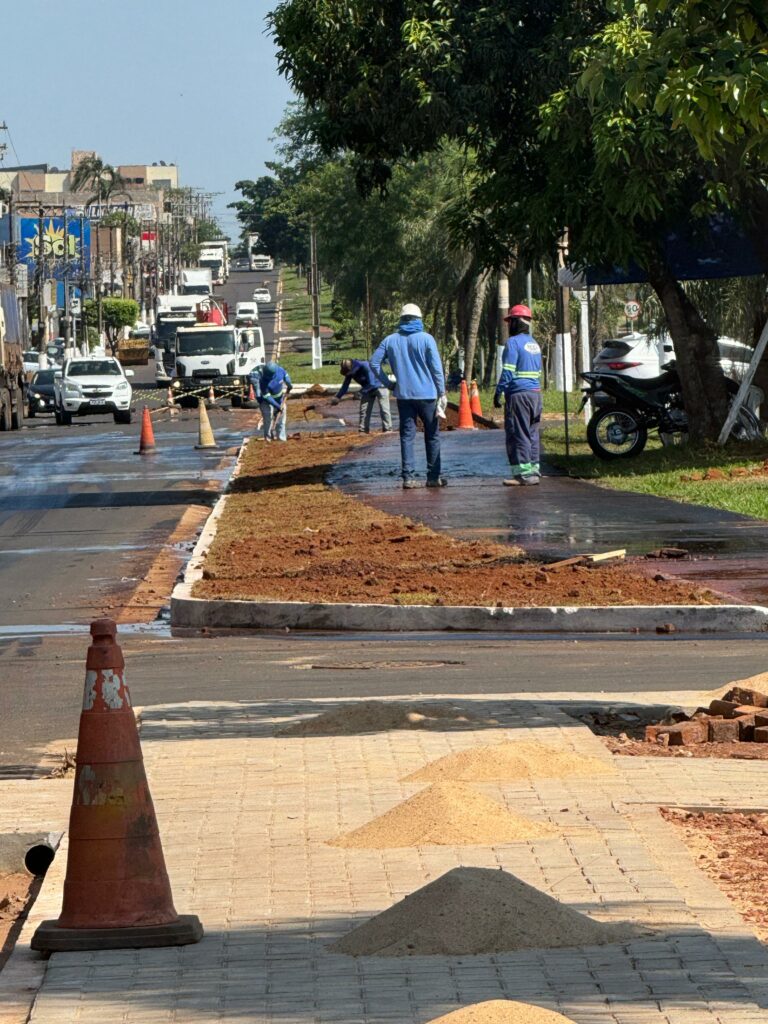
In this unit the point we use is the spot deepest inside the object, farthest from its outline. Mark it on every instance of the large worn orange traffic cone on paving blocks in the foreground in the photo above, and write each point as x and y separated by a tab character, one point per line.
117	894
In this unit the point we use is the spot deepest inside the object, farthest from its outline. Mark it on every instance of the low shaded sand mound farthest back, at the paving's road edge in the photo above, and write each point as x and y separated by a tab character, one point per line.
379	716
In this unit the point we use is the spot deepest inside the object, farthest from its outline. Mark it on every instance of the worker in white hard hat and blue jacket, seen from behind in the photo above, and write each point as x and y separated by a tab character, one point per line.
413	357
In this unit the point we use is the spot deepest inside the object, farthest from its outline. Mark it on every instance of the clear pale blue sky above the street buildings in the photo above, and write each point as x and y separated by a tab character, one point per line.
191	82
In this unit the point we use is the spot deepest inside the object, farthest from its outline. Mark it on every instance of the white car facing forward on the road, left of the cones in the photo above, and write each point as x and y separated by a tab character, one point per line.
93	388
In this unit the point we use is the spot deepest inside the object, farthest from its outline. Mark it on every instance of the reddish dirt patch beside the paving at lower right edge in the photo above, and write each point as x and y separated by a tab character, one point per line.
733	849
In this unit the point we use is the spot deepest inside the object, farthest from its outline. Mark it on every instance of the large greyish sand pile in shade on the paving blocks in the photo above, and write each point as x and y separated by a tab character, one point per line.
477	911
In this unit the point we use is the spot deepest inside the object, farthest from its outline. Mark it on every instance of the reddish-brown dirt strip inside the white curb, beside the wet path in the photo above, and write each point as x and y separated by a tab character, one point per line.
285	536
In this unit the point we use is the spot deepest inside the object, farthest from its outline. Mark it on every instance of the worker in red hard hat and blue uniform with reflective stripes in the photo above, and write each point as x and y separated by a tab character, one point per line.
521	389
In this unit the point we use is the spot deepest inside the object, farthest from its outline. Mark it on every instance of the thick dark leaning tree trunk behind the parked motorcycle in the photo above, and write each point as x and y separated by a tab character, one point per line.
698	358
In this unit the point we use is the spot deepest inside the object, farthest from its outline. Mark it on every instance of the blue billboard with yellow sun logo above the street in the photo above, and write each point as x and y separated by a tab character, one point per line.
66	248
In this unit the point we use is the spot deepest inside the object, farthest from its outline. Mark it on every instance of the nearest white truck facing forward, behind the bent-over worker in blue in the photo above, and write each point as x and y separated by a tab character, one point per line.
211	357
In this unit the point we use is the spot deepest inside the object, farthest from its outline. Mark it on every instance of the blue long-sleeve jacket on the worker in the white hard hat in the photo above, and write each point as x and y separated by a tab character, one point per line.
415	362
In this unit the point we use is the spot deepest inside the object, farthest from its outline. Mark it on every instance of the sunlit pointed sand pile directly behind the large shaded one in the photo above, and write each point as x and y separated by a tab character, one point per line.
444	815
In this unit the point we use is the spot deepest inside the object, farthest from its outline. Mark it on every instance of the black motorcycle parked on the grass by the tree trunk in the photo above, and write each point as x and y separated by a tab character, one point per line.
627	408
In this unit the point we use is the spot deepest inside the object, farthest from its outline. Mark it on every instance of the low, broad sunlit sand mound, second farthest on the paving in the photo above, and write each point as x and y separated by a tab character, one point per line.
513	760
